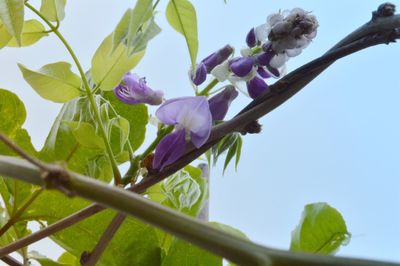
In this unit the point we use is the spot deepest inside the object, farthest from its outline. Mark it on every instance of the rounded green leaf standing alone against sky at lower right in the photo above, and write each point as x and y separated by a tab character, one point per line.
322	229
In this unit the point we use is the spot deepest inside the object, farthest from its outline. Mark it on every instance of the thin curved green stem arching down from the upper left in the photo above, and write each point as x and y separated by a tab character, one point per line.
116	172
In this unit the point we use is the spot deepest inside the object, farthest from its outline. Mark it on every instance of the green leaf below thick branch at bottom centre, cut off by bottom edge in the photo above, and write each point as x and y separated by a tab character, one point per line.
183	253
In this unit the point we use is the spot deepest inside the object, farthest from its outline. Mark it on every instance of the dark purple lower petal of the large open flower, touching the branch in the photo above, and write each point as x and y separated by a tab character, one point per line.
170	149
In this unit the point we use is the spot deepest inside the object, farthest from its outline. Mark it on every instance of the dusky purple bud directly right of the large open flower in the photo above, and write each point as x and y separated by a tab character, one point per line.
219	104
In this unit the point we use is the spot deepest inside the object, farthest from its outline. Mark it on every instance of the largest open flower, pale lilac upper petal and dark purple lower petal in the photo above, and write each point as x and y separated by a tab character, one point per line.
192	119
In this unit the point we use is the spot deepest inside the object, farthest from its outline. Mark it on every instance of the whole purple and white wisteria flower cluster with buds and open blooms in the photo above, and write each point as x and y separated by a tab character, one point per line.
270	45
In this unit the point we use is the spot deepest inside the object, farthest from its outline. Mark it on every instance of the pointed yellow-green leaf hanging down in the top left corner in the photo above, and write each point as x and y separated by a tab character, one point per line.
12	15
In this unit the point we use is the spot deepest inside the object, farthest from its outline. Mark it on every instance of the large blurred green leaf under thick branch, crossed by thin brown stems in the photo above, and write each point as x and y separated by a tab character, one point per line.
134	243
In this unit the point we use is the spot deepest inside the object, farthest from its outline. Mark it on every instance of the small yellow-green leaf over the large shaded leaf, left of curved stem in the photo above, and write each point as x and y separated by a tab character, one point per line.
85	135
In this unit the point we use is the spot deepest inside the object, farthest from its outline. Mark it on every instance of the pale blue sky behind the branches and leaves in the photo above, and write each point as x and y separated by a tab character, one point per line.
336	141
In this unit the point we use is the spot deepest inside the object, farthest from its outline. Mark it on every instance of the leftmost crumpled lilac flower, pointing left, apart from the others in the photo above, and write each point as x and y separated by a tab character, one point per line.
134	90
